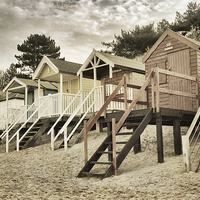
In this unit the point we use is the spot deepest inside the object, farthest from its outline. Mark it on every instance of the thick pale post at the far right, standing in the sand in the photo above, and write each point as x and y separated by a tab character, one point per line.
186	152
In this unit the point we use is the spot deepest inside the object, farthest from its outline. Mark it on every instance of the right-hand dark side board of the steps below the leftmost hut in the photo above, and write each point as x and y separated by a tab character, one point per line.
33	139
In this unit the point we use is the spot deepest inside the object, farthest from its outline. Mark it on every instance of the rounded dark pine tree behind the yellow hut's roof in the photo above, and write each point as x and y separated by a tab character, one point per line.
33	49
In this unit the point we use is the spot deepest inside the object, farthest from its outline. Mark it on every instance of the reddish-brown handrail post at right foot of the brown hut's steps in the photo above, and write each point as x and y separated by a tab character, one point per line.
114	147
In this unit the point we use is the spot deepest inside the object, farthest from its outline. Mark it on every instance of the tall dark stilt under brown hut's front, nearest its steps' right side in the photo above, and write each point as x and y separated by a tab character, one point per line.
159	138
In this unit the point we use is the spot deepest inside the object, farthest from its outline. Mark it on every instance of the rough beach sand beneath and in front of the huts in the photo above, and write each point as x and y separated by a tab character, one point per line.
39	173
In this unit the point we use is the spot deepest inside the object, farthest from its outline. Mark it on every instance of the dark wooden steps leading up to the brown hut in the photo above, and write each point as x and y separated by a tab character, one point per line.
104	149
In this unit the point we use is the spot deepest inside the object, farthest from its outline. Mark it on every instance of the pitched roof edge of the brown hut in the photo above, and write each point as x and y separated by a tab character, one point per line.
190	42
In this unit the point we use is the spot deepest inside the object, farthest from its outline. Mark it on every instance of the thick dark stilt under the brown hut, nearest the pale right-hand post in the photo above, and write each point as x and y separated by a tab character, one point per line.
177	136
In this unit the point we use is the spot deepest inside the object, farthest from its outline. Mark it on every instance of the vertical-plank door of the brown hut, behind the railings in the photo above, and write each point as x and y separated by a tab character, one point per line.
180	62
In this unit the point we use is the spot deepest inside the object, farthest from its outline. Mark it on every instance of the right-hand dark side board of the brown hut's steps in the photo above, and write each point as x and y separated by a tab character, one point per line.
131	142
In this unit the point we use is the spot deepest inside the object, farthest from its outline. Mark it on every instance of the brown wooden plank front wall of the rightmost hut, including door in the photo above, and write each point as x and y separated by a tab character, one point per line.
175	56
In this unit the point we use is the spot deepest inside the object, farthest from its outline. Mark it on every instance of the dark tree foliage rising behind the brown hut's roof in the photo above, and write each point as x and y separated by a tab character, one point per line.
136	42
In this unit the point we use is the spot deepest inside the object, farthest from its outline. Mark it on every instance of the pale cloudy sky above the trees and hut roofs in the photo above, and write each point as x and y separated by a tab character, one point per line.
77	26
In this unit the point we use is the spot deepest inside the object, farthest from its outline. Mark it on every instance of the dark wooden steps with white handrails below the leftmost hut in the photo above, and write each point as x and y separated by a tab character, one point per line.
34	133
